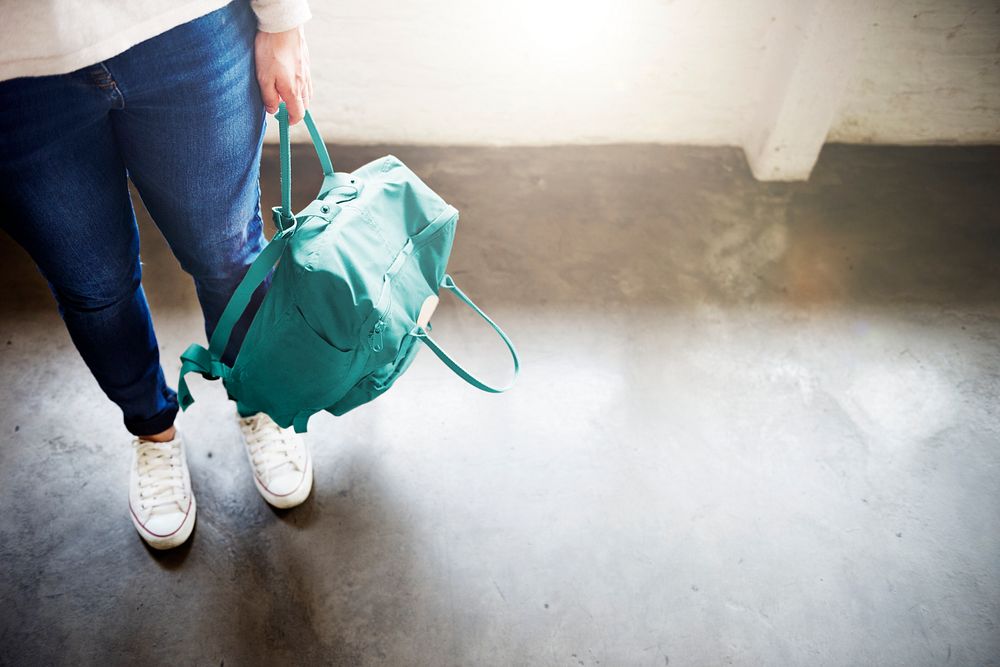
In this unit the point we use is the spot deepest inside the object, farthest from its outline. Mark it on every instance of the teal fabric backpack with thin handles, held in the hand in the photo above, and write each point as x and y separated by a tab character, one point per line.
358	273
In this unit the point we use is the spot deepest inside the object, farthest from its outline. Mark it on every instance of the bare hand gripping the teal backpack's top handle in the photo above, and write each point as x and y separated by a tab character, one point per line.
282	61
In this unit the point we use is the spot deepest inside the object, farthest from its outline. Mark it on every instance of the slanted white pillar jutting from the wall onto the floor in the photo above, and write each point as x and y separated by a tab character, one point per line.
811	49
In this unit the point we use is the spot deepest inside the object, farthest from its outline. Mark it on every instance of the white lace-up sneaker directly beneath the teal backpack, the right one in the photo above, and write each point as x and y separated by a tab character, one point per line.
282	467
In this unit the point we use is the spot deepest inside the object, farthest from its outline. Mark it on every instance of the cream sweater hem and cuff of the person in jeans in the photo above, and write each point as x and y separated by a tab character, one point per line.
40	37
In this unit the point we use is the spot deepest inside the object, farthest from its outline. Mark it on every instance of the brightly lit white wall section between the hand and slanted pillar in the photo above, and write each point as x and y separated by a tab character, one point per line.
537	71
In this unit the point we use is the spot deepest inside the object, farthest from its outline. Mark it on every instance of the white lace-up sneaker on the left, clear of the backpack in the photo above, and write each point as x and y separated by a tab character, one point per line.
159	494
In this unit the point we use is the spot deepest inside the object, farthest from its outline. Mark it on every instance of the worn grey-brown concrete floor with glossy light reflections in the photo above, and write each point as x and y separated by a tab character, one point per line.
757	425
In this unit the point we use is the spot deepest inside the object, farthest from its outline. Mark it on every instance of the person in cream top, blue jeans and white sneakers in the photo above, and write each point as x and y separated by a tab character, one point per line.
93	94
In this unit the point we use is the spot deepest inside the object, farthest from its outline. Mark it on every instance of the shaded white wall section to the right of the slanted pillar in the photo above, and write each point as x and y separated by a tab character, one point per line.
928	72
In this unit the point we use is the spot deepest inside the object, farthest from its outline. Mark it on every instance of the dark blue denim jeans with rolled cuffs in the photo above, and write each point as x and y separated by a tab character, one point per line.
181	116
